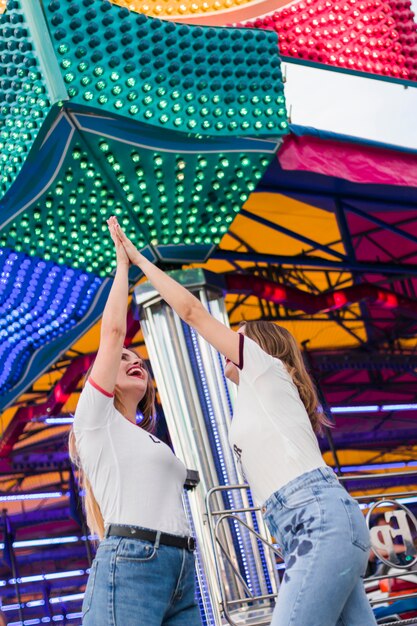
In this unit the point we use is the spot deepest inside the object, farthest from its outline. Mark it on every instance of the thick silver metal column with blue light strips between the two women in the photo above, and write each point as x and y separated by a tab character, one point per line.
197	401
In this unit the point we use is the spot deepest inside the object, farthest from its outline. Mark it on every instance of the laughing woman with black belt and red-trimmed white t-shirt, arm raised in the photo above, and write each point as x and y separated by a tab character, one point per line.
143	573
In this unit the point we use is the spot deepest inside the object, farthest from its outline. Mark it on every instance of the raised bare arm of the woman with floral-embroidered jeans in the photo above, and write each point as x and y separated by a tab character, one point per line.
188	307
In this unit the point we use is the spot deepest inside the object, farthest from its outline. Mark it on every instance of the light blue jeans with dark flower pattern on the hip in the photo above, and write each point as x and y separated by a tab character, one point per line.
325	543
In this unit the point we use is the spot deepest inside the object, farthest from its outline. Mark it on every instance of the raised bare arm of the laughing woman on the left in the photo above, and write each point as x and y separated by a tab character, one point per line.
113	324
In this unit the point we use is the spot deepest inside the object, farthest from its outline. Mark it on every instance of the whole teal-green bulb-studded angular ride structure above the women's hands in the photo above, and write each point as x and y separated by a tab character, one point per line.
158	114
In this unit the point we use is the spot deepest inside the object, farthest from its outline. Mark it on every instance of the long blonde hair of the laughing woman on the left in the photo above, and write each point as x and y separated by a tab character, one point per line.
146	407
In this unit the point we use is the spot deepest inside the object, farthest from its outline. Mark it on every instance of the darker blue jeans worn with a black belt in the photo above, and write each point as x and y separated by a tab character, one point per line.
135	583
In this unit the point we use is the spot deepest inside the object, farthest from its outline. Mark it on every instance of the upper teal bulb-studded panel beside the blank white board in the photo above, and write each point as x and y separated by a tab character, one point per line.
216	81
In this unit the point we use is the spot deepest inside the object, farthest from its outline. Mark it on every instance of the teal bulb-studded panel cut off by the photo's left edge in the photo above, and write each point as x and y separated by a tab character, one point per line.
24	98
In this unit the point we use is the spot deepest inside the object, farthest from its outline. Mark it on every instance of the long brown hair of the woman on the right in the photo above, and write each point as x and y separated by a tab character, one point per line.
280	343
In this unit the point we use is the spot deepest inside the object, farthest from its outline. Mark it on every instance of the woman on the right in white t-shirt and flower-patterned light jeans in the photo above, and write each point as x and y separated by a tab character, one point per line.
319	527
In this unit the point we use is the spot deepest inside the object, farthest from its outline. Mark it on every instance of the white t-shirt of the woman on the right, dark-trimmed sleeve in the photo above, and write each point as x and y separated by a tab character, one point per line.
271	433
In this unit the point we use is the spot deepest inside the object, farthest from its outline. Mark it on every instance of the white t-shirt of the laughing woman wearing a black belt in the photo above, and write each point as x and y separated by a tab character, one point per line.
136	478
